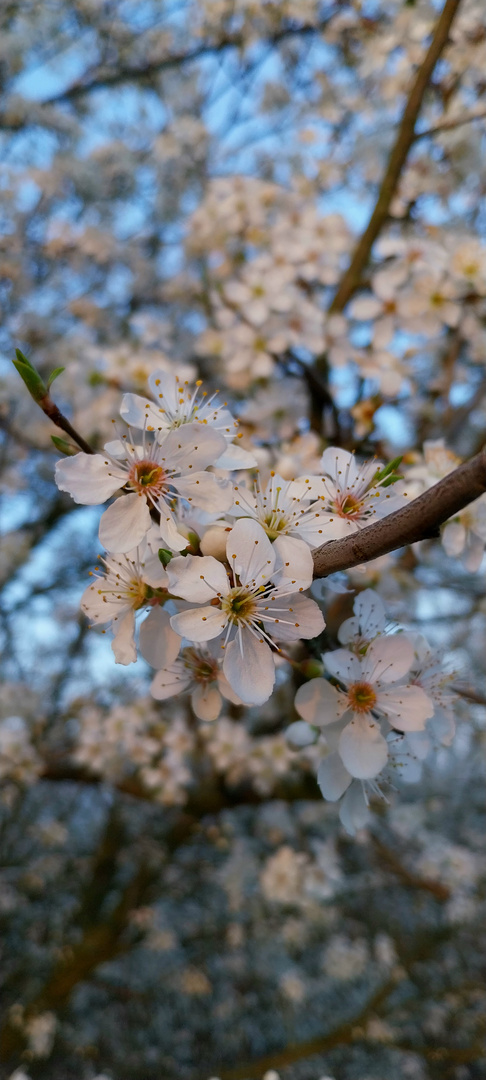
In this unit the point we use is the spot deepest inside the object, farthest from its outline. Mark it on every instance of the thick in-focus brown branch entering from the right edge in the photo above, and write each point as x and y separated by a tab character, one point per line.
418	521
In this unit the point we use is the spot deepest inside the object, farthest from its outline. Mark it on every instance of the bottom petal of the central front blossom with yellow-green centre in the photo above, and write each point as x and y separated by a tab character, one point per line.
250	669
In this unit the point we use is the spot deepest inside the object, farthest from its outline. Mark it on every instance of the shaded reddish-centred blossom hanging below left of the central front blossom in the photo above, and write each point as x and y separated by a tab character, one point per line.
199	671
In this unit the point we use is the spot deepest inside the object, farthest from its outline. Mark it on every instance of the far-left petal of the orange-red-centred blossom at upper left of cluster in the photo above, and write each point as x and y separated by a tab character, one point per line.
89	478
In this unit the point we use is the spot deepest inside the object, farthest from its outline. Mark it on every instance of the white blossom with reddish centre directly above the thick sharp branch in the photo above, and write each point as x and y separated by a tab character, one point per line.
349	494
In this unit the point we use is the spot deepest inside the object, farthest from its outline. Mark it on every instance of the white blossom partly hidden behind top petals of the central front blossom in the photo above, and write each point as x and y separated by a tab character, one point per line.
279	511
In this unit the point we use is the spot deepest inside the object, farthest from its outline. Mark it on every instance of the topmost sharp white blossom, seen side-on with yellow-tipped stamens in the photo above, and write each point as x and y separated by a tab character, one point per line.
178	403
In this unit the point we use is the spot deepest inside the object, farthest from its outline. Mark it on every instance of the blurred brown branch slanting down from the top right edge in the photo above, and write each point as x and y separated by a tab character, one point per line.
406	139
